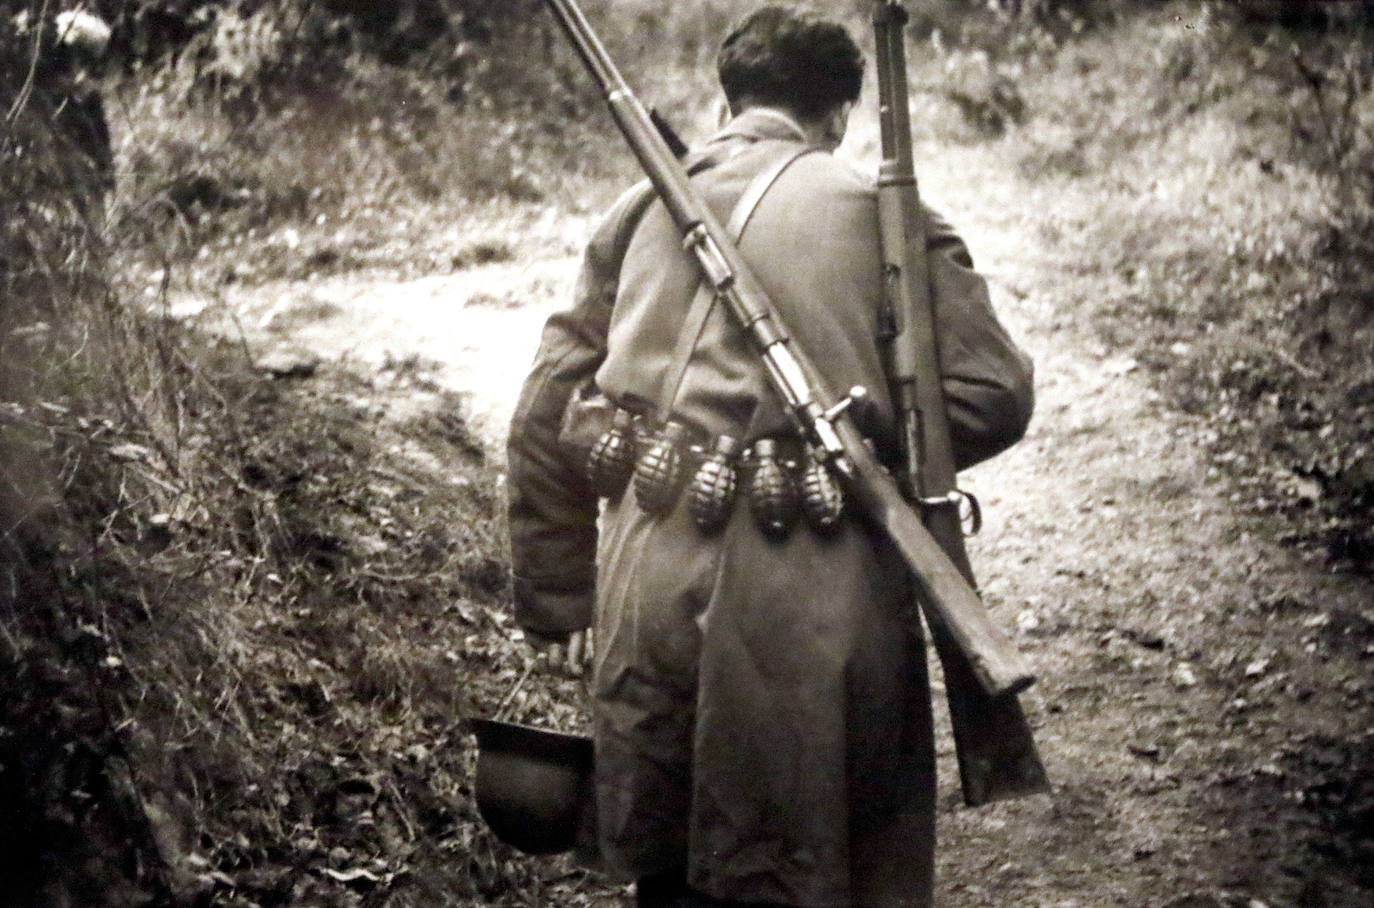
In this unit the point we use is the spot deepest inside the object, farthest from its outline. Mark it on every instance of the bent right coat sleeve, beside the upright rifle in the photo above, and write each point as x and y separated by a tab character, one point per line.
989	380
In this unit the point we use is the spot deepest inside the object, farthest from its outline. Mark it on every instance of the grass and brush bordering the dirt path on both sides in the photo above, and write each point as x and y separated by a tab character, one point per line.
201	715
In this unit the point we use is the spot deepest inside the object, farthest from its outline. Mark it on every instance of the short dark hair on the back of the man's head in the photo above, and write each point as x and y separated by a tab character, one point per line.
792	60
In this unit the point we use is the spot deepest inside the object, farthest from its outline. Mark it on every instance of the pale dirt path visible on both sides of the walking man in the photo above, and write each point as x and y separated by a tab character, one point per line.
1191	666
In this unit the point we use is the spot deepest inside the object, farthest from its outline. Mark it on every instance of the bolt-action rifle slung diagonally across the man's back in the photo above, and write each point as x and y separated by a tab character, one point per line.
950	601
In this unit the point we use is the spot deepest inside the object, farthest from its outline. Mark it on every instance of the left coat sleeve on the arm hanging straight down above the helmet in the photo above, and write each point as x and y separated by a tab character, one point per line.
552	508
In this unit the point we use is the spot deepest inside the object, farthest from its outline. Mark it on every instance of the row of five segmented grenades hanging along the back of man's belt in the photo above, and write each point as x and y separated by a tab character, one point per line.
657	470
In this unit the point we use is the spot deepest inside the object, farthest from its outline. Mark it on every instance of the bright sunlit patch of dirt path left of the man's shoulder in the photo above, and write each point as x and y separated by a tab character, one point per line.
473	332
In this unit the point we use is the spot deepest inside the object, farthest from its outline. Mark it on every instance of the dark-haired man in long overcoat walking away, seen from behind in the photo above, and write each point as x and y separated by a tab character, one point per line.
762	710
